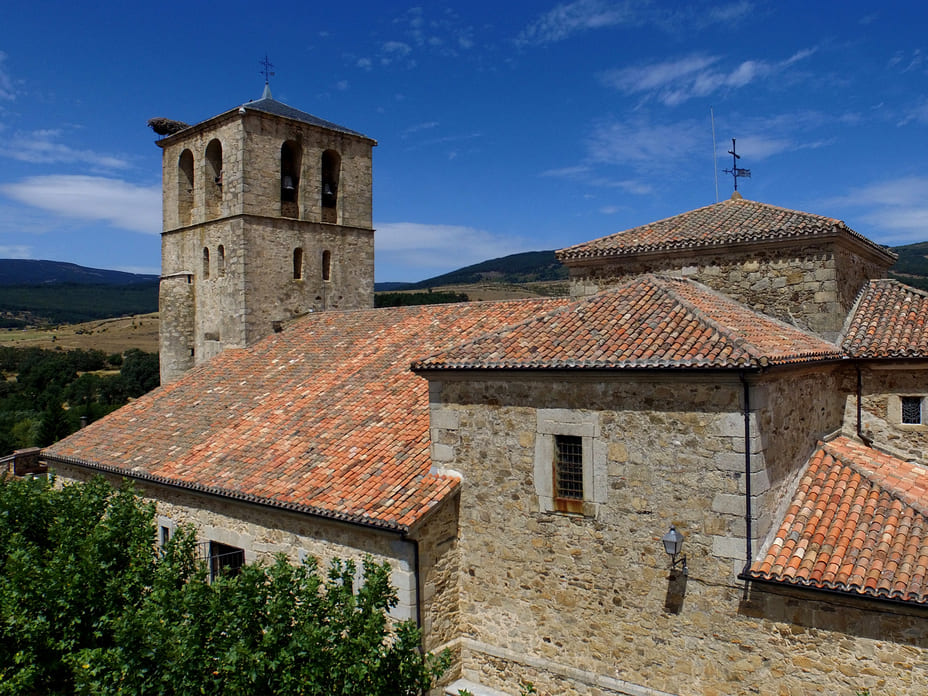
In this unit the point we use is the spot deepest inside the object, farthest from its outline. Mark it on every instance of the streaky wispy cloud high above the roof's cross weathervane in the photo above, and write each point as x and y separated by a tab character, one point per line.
676	81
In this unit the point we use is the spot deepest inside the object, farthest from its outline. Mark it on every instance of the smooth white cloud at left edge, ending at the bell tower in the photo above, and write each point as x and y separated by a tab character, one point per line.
116	202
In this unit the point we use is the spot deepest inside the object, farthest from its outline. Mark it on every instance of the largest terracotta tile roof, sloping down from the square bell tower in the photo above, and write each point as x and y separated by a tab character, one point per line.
324	417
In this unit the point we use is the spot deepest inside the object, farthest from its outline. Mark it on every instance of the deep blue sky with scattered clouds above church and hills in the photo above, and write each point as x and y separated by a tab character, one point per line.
502	127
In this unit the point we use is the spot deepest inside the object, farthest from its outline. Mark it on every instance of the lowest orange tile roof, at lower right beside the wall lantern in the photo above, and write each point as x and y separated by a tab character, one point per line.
857	524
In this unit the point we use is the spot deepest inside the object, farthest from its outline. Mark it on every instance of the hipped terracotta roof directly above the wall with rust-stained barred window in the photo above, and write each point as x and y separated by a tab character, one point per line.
648	322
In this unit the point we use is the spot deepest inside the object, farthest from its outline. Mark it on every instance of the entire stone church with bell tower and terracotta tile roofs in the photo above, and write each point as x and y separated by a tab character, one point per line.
701	473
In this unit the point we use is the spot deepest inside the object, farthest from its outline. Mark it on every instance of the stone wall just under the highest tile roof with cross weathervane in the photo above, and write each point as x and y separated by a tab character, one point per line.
812	285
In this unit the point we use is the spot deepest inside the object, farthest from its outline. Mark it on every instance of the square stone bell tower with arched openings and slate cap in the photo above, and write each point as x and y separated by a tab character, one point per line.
267	216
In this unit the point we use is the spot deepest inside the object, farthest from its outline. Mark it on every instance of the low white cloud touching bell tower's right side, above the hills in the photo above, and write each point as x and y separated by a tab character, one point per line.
414	251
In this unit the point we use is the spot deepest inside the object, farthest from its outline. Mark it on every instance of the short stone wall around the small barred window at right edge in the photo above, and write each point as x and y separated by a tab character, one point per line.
882	409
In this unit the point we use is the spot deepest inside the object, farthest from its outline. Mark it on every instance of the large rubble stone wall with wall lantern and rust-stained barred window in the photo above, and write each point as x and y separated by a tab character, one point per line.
587	604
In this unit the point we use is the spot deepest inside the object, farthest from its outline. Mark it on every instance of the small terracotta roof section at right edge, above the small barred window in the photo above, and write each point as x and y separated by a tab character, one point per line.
890	320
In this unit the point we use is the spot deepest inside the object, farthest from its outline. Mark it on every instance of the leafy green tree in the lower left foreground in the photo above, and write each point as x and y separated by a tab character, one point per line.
89	605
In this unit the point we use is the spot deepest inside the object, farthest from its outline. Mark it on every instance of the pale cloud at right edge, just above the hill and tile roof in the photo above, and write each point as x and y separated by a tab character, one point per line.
896	208
